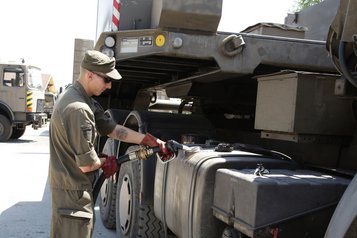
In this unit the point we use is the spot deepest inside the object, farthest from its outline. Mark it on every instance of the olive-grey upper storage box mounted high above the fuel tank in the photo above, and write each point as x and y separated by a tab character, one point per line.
302	103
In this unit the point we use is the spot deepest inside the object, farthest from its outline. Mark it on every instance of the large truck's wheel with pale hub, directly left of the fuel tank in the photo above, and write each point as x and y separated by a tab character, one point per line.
133	218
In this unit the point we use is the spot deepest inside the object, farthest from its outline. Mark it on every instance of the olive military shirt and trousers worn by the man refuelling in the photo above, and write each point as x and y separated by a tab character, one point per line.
73	129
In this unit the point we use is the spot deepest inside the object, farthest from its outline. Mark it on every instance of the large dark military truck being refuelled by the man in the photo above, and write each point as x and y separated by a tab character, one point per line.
270	111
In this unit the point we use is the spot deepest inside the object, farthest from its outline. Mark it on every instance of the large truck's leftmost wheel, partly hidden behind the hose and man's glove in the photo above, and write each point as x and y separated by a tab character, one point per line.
107	195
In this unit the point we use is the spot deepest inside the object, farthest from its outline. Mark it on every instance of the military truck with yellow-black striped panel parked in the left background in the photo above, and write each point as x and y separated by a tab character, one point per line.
22	99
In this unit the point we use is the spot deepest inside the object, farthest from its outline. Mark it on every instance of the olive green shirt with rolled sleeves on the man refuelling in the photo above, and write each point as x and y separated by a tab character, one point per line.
73	129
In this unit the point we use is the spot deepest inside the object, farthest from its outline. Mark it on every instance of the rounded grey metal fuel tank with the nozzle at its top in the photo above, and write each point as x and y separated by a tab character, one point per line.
184	188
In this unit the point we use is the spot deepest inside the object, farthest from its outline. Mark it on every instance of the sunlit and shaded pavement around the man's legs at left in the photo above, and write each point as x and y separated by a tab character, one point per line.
25	201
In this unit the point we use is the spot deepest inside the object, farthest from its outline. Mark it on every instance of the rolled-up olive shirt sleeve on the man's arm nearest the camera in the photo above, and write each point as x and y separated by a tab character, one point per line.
81	133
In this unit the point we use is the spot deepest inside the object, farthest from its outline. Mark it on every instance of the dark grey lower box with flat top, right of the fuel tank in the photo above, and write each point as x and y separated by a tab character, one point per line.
250	202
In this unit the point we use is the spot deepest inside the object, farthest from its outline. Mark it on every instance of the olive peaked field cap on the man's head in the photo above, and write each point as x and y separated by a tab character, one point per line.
96	61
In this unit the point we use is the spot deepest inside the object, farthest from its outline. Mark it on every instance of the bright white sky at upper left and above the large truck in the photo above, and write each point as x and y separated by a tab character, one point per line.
43	31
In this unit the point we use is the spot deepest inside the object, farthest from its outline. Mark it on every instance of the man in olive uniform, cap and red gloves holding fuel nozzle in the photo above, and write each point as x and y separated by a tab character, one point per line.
76	119
